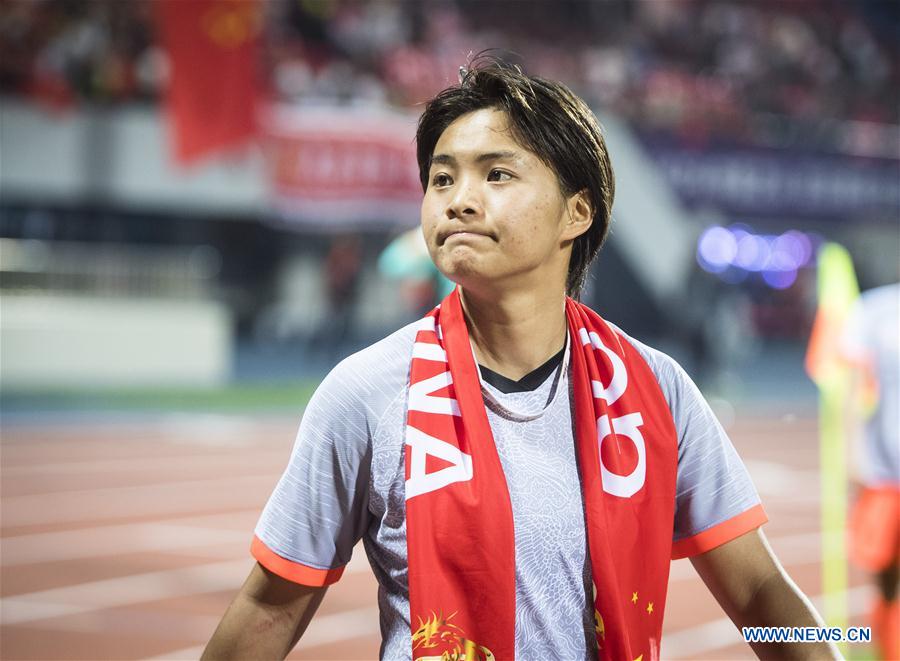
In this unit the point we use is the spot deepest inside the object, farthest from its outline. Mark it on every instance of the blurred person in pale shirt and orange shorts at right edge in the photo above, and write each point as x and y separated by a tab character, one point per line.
871	344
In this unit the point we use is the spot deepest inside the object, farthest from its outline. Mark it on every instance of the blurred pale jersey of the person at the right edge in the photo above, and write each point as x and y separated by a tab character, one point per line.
872	340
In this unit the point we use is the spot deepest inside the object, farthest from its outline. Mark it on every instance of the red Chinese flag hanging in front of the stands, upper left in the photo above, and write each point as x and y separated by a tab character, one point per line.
213	47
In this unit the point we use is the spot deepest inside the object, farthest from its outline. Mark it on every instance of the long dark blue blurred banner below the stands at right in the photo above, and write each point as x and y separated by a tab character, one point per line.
780	182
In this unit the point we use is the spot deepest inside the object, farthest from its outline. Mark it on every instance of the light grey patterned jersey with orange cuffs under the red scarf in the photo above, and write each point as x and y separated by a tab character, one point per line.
345	481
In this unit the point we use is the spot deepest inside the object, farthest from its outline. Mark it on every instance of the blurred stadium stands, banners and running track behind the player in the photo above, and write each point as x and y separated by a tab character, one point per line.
193	230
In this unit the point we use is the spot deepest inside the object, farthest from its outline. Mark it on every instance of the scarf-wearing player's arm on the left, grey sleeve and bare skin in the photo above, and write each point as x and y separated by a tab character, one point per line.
309	526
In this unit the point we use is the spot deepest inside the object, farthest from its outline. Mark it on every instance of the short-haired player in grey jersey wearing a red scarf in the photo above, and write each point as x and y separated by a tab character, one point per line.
521	471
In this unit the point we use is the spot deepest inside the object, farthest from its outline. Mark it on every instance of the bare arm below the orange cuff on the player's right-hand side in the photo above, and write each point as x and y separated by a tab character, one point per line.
753	588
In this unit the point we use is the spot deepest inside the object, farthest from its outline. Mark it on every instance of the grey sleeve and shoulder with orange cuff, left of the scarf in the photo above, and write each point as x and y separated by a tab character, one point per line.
320	507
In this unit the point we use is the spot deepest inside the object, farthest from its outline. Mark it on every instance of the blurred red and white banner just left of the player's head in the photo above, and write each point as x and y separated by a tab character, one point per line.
342	167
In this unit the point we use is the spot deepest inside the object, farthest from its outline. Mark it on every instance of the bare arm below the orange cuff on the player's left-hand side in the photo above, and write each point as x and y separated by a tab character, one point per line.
266	618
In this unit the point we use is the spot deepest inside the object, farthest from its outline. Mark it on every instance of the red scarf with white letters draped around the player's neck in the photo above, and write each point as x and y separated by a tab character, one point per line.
459	525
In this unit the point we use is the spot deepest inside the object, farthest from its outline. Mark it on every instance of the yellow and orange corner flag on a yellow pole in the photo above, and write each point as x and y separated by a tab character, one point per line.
837	291
